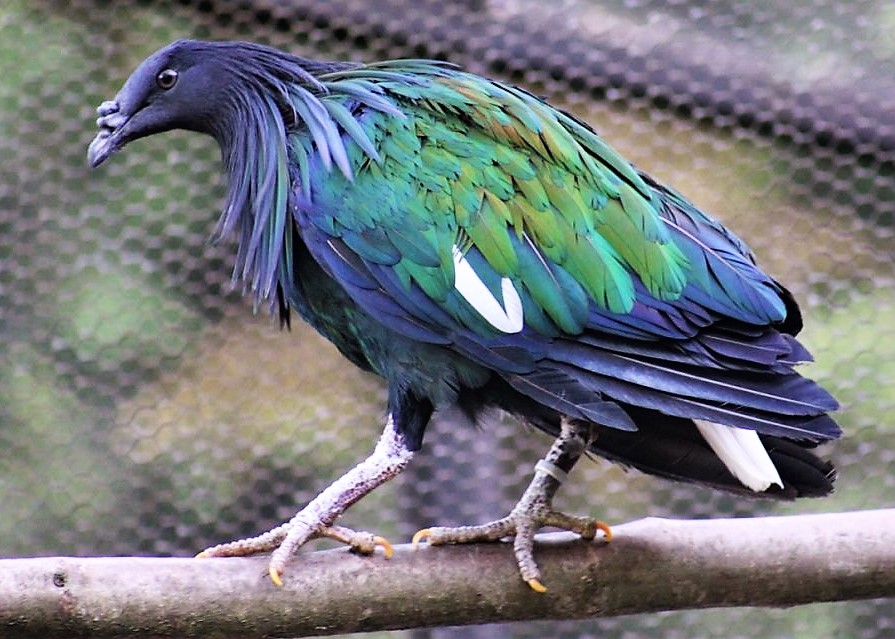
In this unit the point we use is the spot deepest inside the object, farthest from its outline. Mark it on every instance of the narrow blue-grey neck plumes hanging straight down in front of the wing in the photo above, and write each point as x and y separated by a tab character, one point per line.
256	118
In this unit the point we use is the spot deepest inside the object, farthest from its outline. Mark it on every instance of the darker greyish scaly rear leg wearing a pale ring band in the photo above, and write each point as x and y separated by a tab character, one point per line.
534	510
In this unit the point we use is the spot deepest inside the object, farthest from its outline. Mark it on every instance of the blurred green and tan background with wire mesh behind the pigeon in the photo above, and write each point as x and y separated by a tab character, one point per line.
145	409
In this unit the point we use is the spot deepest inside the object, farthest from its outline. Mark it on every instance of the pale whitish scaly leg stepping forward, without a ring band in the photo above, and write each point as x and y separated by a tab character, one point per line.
315	520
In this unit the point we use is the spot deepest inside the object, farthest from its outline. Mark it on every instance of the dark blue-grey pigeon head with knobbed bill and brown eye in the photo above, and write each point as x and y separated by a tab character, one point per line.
198	86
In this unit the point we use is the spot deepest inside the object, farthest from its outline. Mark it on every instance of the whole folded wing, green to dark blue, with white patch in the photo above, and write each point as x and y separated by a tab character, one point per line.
490	222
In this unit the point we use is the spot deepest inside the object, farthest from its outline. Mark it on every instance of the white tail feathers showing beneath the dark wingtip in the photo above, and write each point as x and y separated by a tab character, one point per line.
743	453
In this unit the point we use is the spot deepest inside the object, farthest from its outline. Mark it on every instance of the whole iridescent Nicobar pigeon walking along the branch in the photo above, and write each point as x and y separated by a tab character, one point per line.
480	249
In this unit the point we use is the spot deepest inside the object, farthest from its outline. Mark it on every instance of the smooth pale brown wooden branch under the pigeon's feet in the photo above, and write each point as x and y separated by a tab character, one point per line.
651	565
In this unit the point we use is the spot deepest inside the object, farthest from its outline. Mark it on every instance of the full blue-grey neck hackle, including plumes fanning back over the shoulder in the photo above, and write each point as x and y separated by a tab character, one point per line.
277	111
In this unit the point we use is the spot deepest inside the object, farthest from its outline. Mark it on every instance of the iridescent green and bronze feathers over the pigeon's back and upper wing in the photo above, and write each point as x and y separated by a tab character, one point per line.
494	168
